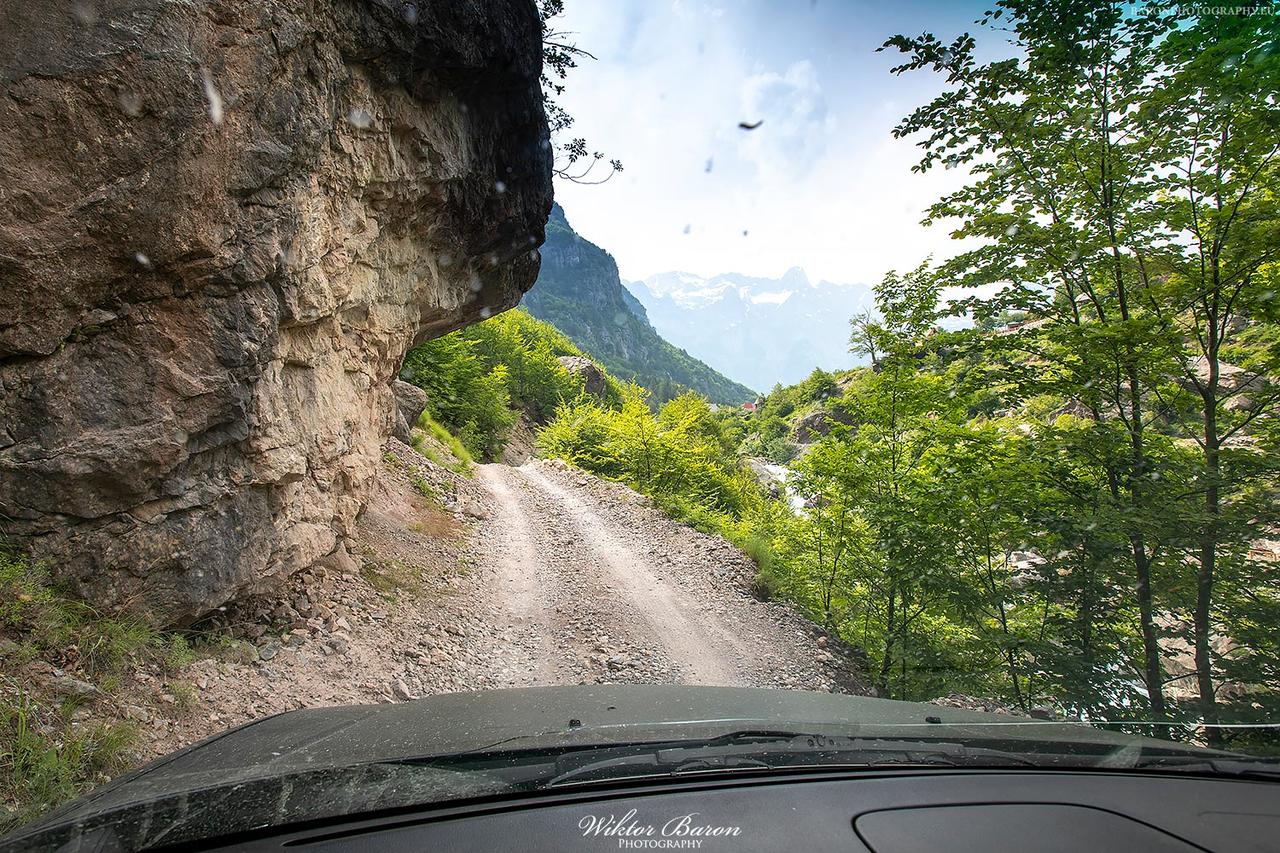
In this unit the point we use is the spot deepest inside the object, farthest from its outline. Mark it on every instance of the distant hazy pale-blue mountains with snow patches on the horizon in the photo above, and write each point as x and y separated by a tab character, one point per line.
758	331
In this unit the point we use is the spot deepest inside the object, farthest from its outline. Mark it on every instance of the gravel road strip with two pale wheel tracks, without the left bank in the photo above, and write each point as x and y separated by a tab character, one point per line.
597	585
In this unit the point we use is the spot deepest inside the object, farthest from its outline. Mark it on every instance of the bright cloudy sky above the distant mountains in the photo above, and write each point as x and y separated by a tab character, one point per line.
821	185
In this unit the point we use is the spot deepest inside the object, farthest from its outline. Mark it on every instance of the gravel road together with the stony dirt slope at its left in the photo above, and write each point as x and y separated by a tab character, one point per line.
515	577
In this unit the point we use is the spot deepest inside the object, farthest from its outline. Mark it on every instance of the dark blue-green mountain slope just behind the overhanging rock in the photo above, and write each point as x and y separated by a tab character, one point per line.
580	294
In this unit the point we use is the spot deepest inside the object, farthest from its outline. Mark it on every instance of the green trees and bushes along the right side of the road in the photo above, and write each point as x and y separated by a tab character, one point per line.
1071	501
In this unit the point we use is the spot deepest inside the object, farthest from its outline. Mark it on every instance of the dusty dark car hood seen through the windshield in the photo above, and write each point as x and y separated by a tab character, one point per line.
322	763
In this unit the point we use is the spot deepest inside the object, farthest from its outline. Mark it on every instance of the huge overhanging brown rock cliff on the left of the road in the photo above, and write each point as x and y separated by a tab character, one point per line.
222	226
